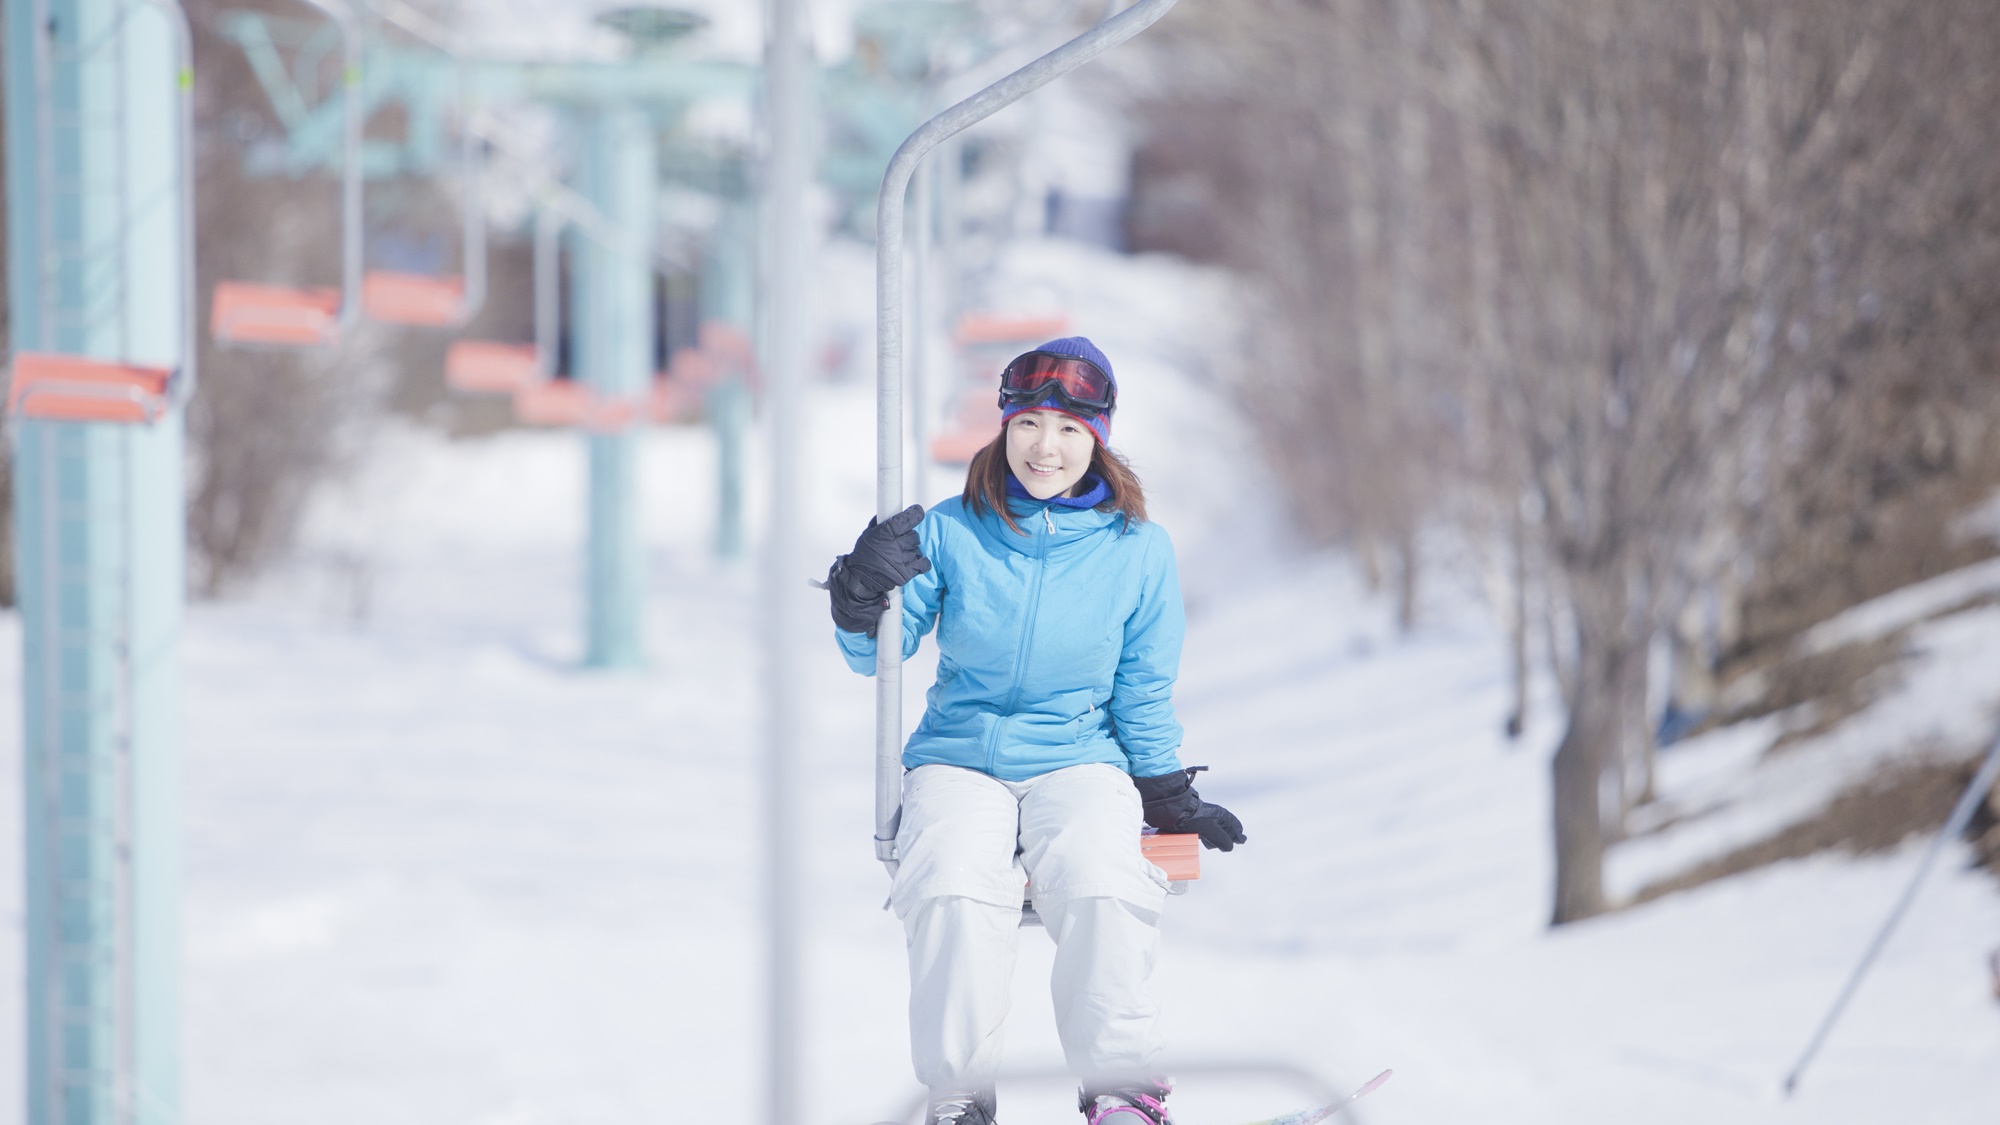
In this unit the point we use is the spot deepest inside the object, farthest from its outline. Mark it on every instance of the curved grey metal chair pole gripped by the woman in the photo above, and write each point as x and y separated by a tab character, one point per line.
889	357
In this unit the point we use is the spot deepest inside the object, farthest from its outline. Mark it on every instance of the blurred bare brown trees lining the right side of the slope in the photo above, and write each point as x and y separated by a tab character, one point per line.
1683	307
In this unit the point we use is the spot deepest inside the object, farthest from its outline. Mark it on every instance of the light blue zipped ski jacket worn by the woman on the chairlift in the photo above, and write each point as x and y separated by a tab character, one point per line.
1055	648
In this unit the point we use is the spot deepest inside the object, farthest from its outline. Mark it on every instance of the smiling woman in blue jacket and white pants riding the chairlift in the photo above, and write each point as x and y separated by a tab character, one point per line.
1049	740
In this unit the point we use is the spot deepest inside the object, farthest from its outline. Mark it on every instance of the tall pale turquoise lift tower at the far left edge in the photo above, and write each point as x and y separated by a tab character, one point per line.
99	371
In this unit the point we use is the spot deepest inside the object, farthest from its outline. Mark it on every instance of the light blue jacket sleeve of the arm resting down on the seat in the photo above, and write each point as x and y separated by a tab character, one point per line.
1143	690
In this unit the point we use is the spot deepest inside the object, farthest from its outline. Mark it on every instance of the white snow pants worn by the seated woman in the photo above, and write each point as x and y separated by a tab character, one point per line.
969	846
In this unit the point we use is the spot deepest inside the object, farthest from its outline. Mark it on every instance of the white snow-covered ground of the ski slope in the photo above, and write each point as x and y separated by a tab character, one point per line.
439	876
